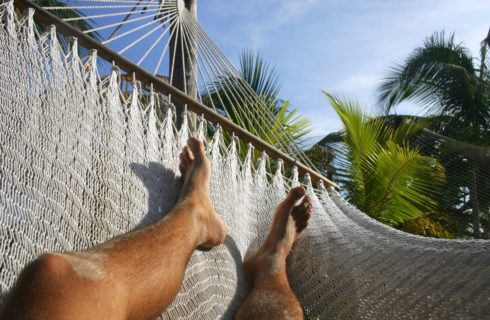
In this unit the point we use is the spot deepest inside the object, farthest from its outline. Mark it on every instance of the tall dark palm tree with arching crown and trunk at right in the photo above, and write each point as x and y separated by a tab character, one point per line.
442	77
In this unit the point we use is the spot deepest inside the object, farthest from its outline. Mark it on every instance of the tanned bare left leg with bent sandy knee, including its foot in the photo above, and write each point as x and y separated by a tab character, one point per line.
131	277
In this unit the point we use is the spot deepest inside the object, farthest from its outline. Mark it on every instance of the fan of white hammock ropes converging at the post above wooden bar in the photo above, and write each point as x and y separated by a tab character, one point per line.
172	25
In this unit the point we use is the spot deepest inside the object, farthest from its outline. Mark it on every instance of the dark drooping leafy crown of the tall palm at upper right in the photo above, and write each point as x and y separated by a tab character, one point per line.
441	77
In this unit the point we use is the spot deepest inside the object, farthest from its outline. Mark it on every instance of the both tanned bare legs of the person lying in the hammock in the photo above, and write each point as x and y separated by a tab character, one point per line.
137	275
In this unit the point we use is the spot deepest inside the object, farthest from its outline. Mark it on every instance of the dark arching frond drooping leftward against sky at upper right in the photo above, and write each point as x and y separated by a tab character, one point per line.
429	73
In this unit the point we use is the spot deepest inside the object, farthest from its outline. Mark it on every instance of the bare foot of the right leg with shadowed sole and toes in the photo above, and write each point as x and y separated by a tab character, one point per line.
290	219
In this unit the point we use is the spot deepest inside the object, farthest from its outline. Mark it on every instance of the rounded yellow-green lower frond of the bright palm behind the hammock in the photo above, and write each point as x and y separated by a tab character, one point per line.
403	184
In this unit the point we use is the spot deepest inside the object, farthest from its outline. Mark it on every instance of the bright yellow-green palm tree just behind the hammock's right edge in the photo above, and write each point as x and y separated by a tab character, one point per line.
380	173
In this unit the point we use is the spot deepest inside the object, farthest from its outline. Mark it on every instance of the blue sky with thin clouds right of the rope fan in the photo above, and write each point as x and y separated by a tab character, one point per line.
344	47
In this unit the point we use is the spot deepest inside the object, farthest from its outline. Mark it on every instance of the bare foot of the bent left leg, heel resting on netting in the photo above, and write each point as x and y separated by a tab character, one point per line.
195	168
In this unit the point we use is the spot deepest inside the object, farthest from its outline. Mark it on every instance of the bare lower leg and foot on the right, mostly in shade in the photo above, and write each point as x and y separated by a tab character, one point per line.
271	296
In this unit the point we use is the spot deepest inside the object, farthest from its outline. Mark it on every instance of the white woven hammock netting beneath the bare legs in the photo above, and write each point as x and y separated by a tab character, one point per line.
82	162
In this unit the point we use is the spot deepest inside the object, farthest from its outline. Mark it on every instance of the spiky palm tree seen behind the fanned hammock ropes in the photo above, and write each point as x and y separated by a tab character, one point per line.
259	110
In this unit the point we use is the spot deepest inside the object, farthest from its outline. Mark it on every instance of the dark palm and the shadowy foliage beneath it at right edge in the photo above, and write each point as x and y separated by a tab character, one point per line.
442	77
